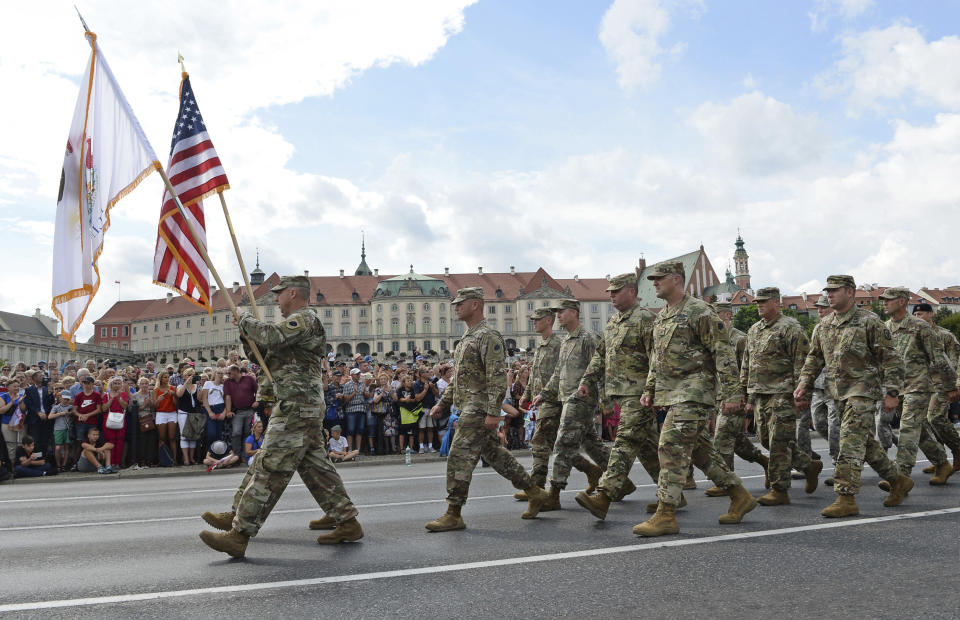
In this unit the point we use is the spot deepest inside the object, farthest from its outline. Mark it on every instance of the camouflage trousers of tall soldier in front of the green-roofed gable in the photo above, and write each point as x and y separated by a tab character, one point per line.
685	438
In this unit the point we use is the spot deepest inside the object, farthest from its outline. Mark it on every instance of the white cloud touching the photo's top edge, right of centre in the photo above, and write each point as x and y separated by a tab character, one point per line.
631	32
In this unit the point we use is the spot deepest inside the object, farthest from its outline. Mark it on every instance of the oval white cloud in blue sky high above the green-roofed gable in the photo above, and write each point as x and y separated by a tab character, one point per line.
758	135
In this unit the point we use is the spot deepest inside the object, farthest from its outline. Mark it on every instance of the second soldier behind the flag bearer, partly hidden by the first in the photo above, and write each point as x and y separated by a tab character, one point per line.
548	414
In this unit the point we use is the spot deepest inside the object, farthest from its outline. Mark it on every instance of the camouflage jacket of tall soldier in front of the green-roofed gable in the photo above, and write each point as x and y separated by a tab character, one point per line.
692	355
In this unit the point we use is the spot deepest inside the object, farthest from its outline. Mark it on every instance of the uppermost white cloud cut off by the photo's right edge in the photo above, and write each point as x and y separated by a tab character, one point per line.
881	66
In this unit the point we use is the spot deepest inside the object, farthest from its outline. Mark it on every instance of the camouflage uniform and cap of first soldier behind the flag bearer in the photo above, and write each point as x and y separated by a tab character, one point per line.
477	388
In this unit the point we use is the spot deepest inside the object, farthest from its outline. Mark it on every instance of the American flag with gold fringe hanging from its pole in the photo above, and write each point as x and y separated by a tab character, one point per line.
195	173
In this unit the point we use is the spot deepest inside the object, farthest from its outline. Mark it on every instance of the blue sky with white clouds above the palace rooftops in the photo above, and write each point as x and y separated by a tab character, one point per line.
569	135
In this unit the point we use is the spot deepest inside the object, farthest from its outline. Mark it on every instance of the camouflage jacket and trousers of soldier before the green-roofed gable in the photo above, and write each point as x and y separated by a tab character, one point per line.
691	353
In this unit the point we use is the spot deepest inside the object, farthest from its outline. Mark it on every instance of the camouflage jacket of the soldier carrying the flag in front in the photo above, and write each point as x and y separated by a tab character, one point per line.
293	350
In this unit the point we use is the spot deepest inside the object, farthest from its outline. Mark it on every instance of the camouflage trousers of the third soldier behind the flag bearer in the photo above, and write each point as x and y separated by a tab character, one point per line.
577	430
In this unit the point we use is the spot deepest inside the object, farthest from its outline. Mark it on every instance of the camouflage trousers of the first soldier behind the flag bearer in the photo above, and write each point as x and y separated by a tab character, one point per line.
472	441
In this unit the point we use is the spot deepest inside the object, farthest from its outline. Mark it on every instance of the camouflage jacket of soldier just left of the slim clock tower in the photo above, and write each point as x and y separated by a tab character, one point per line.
774	356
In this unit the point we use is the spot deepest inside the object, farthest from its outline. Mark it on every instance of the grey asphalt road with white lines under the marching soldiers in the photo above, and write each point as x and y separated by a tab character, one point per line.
129	548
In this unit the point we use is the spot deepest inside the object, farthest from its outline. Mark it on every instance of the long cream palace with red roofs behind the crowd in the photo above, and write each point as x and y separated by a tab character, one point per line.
386	316
